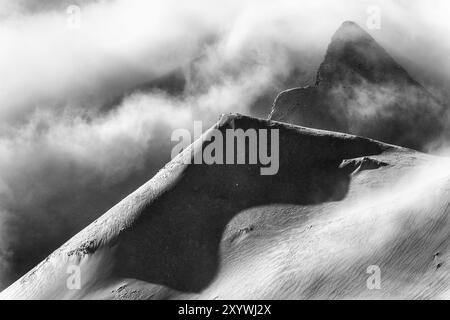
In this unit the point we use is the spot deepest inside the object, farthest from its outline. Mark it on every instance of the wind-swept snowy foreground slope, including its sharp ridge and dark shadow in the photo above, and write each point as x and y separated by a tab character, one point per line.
338	205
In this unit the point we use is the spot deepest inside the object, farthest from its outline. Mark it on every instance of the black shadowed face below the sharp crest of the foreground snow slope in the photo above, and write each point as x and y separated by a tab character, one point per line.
183	228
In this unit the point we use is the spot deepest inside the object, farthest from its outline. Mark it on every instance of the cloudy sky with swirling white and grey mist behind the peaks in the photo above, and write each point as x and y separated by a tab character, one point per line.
88	98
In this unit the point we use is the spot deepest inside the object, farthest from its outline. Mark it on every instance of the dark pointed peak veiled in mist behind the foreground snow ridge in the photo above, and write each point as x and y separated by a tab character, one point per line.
361	90
